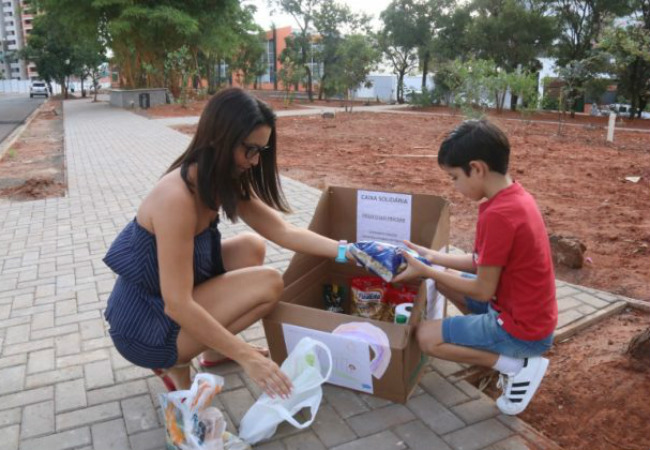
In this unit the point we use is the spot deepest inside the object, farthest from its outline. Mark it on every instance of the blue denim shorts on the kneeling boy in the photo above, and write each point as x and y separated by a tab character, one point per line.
480	330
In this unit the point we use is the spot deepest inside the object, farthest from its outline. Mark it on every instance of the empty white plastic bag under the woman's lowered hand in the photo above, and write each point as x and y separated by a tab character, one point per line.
302	366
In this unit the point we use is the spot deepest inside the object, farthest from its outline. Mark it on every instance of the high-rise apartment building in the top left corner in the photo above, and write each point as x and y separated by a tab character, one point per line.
15	27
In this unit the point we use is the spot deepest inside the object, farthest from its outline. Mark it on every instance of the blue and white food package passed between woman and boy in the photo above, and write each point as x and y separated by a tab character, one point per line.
384	260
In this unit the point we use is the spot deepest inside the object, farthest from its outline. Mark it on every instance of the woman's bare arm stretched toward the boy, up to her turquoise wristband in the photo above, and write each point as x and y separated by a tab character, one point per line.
269	224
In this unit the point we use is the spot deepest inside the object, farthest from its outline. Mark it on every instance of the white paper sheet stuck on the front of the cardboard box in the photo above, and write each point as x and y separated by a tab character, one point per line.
350	357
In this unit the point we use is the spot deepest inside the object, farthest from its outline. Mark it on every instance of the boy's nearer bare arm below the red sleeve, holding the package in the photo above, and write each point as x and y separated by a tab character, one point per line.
481	288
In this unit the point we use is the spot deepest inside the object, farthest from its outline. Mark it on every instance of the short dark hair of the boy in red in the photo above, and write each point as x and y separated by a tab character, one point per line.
475	140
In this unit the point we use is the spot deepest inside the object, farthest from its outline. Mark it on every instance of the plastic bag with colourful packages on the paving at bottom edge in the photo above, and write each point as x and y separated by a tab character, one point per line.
190	421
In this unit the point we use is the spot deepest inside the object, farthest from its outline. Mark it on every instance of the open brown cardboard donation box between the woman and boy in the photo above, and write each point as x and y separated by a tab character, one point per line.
301	303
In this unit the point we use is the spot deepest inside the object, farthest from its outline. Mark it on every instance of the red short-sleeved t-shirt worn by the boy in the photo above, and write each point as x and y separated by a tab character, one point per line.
510	233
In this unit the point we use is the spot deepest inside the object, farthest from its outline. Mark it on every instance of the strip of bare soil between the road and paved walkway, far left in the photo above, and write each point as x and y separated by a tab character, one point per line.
33	167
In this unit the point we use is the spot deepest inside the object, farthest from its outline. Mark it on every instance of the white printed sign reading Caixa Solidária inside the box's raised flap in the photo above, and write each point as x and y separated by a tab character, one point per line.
384	217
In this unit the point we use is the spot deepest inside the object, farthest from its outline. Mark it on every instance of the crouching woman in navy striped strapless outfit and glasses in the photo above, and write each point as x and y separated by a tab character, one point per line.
181	290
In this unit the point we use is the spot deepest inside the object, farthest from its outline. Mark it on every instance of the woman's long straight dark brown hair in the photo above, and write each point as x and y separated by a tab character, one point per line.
228	118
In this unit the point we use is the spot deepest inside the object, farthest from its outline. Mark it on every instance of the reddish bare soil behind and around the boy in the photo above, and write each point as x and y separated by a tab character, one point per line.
594	396
